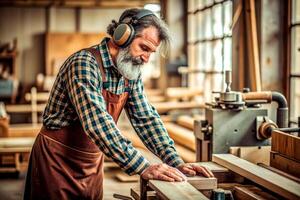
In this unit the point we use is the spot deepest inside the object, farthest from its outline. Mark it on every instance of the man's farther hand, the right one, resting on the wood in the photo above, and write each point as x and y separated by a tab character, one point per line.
192	170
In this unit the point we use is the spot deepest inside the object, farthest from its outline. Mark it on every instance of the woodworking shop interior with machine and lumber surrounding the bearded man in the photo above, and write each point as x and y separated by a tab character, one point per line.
228	92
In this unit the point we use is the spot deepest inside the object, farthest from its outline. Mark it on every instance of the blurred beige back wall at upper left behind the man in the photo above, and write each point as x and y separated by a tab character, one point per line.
28	25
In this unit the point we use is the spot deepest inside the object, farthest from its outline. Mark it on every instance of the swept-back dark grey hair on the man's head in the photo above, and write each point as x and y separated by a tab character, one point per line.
145	22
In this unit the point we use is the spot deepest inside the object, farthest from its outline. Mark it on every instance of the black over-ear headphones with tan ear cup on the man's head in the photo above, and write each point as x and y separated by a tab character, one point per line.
124	32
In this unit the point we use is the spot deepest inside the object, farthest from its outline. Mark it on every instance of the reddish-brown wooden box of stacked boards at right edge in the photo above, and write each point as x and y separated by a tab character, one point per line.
285	154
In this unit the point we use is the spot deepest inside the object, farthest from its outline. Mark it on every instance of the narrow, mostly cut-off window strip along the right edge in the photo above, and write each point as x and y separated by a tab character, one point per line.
295	61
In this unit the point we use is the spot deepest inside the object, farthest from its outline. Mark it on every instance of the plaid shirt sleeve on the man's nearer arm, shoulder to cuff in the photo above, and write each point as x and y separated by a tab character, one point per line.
84	83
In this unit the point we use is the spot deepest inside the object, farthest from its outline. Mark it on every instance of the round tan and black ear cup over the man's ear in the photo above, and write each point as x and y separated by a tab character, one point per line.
123	35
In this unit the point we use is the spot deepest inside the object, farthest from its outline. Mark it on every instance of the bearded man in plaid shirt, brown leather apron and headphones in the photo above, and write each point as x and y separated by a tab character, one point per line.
79	121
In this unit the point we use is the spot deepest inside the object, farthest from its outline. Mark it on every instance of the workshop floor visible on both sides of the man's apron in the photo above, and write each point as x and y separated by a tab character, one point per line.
11	187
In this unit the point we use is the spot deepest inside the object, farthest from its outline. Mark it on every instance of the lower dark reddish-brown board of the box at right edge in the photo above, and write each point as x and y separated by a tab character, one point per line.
281	162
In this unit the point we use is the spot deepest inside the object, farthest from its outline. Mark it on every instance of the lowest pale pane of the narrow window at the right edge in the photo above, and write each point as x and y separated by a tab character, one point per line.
295	98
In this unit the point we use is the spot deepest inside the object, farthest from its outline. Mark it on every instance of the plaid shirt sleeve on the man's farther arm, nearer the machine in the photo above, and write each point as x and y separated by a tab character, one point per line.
149	126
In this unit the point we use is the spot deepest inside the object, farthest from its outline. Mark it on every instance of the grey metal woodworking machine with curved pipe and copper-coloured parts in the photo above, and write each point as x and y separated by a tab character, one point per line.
238	119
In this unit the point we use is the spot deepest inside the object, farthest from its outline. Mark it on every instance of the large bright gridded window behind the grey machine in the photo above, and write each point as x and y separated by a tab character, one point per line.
209	44
